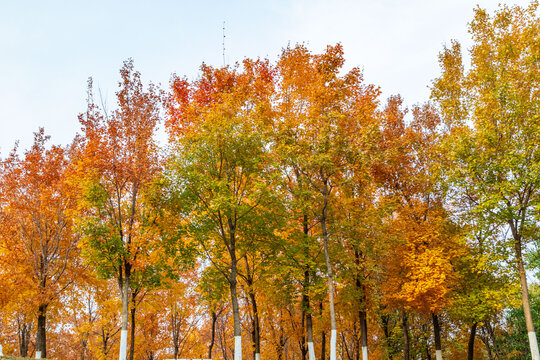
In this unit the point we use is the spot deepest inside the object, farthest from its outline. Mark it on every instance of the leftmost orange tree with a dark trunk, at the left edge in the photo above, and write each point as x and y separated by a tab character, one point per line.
37	227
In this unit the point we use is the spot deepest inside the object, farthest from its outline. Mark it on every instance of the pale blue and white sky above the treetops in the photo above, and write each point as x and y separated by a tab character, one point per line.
48	49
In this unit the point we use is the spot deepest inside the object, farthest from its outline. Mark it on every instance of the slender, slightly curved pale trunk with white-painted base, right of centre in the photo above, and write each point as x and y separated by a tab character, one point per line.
333	333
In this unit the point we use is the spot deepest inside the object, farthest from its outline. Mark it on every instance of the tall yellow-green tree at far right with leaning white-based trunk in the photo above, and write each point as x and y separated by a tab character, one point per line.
492	113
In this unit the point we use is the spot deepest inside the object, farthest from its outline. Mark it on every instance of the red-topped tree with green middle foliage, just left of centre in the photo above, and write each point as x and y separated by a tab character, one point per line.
221	168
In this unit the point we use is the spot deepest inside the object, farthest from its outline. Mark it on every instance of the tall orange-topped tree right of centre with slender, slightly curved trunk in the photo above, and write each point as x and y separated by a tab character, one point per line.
326	123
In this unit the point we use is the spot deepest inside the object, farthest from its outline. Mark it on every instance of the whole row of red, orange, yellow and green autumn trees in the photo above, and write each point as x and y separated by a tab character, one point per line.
293	213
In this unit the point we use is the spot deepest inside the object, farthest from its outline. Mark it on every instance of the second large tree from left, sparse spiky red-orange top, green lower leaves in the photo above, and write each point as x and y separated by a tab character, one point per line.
116	164
